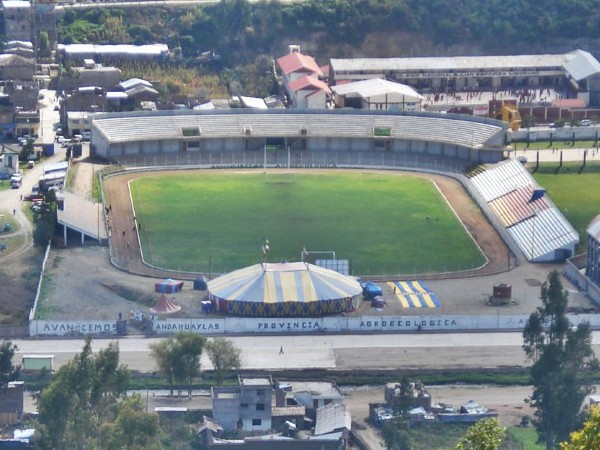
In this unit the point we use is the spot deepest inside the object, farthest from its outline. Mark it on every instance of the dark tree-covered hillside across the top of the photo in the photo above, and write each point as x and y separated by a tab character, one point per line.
238	30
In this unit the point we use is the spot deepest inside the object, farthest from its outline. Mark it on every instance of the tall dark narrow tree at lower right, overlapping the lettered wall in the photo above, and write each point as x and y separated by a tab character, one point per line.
561	356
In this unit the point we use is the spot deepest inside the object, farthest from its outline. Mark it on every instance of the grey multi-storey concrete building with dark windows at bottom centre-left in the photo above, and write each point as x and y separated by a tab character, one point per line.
246	407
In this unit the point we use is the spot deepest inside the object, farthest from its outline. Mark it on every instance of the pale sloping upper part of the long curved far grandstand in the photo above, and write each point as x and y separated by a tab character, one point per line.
141	126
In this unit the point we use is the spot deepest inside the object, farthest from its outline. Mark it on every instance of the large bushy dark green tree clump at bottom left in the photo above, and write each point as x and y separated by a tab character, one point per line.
85	399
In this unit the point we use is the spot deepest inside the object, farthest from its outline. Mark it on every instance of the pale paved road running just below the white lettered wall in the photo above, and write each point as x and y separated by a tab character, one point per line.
344	352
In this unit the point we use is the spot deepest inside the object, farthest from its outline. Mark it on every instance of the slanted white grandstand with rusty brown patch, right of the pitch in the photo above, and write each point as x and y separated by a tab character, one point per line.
520	206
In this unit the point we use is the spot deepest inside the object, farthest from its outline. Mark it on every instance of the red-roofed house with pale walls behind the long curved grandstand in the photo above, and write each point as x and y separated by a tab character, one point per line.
302	80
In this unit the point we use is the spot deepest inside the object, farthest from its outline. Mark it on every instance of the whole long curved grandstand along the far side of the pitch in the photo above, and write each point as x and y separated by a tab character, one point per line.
212	136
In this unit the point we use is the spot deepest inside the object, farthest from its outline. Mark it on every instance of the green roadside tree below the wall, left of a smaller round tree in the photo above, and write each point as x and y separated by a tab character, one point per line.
178	357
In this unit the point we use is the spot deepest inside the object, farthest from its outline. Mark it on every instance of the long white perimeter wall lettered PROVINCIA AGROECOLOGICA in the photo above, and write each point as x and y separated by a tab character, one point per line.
241	325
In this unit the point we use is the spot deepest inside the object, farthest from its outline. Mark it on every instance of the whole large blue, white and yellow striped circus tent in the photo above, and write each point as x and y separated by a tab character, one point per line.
284	289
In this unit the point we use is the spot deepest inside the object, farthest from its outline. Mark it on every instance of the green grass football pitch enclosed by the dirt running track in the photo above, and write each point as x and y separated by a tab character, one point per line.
216	221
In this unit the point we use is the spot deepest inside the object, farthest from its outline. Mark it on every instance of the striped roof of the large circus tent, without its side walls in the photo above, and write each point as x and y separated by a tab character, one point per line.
283	282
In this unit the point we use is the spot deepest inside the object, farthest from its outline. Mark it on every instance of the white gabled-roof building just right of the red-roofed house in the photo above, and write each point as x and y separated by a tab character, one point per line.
377	94
